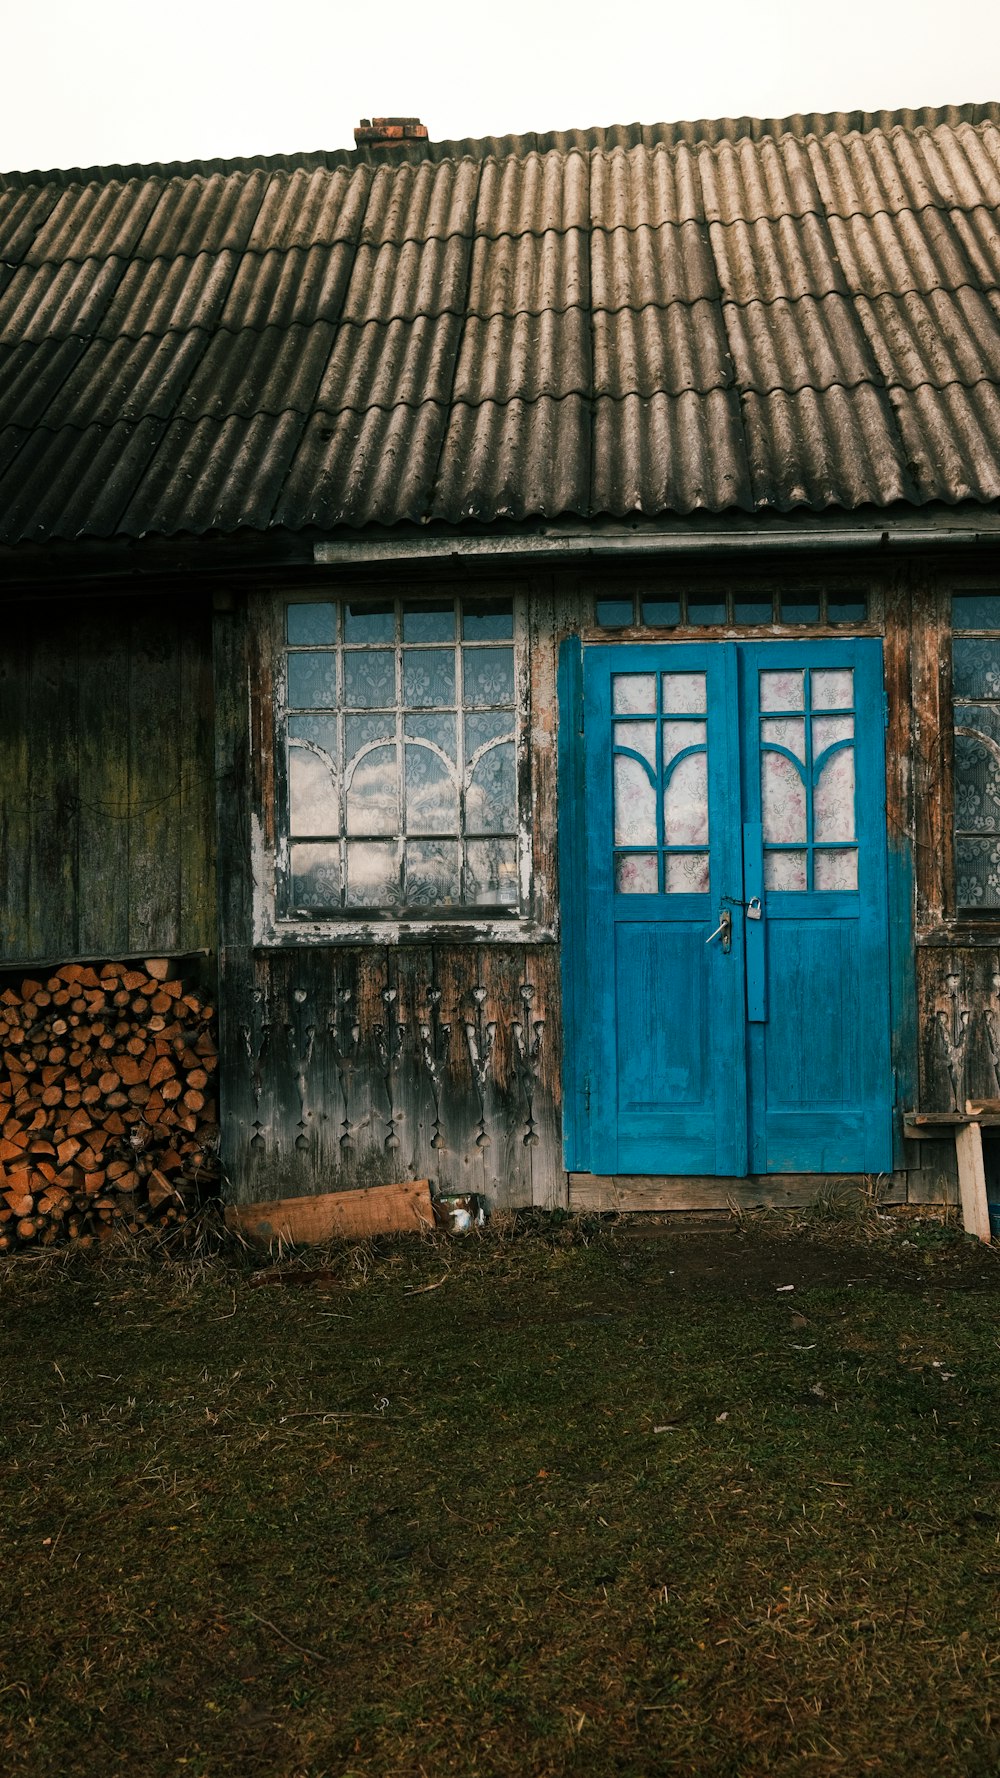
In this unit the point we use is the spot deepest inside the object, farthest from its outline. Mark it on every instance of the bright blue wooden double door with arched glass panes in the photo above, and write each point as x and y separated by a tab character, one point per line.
725	909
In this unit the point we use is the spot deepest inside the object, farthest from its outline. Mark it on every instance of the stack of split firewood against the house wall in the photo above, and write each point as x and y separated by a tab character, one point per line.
108	1114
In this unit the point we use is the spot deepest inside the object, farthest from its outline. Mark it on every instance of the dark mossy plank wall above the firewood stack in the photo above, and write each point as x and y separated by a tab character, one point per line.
108	806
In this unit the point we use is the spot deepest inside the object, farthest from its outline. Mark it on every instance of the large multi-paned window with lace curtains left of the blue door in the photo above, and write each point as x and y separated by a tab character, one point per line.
399	787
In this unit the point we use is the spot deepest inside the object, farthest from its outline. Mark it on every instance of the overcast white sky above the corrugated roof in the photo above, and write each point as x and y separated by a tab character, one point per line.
118	81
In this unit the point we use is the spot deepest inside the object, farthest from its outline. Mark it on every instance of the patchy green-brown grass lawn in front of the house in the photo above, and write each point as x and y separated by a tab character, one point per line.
533	1503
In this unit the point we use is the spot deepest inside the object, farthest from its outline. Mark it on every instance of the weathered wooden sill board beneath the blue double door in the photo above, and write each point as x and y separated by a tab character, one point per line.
595	1192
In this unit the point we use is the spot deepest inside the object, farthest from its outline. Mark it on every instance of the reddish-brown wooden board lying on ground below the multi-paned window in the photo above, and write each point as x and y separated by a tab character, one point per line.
330	1215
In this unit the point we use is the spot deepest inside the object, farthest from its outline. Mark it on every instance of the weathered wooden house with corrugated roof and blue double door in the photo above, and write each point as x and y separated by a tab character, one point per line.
520	621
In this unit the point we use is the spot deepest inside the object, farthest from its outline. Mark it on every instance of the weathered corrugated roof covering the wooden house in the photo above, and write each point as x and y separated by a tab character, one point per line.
608	323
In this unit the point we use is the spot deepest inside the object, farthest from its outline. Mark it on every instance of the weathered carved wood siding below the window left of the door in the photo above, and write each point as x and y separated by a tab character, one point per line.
351	1068
